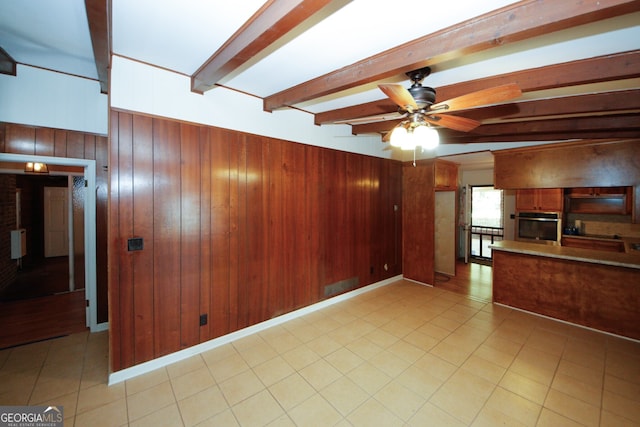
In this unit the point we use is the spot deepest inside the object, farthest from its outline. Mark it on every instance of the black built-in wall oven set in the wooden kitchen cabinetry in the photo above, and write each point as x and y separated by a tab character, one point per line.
539	227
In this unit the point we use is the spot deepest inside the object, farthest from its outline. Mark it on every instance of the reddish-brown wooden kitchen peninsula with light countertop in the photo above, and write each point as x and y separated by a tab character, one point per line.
597	289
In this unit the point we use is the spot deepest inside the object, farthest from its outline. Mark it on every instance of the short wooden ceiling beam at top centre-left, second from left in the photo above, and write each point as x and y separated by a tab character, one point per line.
272	21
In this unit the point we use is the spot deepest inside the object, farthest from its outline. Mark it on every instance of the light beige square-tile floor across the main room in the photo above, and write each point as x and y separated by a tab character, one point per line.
401	355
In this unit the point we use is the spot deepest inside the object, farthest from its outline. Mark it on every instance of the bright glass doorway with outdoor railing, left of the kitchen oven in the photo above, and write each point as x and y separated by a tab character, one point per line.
487	222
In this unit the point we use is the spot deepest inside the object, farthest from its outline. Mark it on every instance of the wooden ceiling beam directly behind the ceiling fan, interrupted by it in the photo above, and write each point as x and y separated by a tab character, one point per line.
617	66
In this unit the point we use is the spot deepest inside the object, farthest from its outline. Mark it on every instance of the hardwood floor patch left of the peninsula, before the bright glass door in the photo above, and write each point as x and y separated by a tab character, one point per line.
474	280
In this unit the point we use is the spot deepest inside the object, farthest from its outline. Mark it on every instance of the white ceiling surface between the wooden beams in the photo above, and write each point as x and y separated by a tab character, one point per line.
181	35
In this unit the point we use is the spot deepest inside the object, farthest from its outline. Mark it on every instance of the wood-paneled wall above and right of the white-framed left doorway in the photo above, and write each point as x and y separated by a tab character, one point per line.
40	141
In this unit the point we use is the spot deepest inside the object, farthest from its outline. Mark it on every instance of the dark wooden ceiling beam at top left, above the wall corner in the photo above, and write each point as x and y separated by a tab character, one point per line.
98	18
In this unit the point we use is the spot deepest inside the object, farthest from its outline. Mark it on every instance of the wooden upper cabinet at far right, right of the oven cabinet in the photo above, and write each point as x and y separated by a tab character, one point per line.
599	200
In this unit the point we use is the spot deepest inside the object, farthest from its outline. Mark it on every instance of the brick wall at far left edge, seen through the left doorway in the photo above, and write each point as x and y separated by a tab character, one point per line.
8	267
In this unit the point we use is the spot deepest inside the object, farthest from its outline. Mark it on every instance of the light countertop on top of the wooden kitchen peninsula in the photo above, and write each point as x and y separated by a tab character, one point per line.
630	258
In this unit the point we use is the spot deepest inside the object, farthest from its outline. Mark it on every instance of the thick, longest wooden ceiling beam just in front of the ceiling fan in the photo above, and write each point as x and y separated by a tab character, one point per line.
517	22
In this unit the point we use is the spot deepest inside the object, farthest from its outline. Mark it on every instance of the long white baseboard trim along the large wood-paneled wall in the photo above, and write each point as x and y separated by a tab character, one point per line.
145	367
